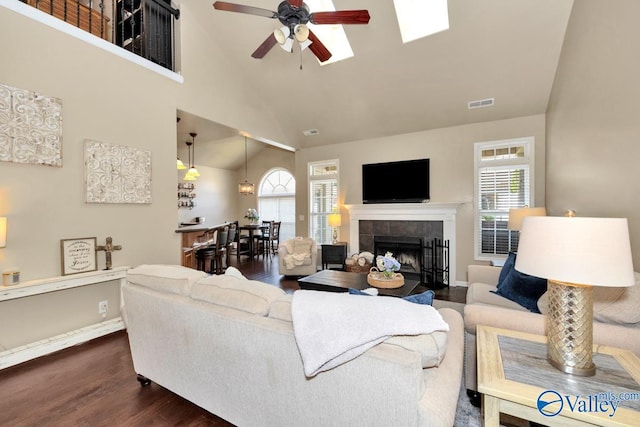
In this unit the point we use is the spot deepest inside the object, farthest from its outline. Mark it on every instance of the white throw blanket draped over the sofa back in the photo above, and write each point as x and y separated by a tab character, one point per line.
332	328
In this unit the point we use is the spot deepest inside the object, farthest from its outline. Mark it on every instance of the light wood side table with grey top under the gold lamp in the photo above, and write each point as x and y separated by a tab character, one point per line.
516	379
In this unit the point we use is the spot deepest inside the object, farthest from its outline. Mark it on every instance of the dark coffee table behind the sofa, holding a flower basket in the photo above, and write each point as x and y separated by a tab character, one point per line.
341	281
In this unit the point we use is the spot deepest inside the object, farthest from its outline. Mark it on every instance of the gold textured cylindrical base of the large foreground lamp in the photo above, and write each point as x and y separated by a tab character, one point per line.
570	328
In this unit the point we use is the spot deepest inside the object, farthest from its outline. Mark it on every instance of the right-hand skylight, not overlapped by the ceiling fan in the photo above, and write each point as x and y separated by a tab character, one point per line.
421	18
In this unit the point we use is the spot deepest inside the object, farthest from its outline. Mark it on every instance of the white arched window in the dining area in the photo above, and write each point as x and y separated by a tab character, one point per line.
277	201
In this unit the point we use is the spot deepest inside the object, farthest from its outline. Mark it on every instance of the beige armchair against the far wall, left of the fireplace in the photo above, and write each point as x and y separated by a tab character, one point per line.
298	257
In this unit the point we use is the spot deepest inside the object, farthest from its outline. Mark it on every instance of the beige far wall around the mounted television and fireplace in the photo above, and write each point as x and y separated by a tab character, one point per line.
451	168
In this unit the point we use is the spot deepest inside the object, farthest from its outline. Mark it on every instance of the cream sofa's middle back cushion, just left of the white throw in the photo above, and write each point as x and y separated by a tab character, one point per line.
246	295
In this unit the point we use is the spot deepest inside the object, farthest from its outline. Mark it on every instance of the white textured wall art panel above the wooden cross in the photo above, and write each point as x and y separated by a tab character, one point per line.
117	174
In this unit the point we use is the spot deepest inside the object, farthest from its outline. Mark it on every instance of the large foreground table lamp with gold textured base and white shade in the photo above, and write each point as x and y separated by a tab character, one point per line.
574	254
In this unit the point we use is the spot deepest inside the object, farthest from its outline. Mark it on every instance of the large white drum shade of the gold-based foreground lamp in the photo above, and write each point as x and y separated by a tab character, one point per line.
586	251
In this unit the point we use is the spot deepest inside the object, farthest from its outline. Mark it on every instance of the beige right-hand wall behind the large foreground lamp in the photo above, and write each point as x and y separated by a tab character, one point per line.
593	119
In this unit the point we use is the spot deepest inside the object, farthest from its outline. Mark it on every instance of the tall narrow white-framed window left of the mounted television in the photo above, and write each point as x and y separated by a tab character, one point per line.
323	198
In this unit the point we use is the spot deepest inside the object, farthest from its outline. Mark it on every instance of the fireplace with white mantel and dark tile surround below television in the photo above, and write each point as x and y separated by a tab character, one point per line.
406	221
